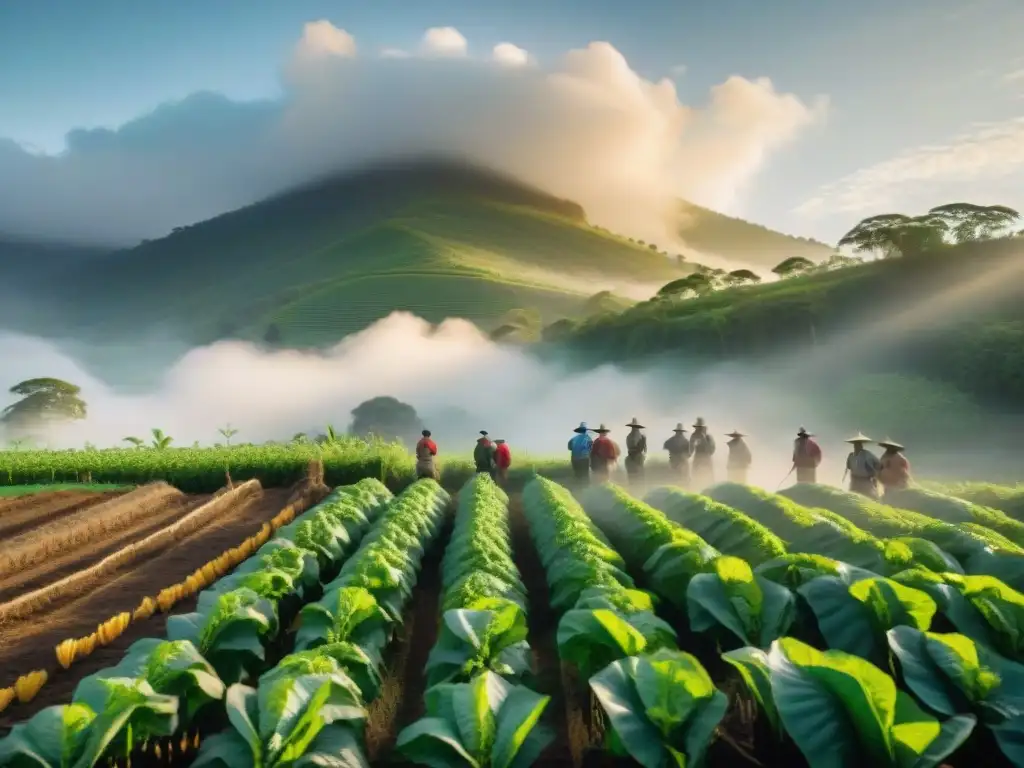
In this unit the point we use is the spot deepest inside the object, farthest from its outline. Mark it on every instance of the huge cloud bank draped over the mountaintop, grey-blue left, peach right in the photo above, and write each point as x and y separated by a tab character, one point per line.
589	130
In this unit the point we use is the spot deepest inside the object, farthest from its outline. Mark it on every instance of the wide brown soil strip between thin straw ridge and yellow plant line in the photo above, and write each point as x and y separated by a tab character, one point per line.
29	646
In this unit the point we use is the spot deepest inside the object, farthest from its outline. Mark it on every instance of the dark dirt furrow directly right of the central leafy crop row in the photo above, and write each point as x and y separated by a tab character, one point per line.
543	625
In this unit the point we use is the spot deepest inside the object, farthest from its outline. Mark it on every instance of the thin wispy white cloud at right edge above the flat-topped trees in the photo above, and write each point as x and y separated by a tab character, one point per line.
928	176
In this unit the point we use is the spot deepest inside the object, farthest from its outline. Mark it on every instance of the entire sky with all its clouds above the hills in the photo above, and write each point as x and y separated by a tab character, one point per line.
805	116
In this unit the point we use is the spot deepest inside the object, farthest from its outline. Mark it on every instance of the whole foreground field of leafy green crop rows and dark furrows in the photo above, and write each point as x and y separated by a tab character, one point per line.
810	627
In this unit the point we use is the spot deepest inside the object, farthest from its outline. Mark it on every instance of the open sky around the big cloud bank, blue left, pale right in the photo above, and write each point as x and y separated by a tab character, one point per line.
899	74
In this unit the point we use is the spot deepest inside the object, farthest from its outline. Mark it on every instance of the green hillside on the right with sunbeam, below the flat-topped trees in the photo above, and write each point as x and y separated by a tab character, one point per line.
956	316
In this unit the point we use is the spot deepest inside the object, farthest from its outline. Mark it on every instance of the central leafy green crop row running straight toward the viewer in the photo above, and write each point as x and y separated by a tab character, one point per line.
478	713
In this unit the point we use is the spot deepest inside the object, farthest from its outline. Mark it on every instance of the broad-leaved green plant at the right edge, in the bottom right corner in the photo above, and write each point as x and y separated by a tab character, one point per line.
953	675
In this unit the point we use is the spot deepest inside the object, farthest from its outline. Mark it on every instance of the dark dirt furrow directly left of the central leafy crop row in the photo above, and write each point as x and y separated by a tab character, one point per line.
401	700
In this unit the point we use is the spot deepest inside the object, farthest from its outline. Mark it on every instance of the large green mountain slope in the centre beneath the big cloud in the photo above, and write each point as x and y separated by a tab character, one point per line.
326	262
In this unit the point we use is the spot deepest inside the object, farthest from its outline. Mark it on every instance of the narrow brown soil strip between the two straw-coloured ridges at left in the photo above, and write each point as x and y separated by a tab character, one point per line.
25	581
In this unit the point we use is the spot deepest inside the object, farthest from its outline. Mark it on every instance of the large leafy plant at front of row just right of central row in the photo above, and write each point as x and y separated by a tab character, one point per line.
663	709
